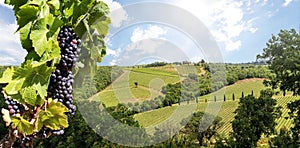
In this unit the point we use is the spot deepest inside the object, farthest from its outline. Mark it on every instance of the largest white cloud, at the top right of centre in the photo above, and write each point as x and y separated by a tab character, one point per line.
224	18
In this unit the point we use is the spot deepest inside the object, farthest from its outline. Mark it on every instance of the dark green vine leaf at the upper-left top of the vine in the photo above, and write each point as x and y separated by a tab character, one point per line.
26	14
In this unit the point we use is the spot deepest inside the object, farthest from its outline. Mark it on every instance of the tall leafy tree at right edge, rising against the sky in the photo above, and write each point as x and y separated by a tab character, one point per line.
283	56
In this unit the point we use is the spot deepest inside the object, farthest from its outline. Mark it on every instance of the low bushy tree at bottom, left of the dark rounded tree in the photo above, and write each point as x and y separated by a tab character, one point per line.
201	127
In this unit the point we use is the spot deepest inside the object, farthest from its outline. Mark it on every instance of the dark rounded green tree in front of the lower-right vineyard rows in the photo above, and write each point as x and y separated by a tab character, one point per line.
254	117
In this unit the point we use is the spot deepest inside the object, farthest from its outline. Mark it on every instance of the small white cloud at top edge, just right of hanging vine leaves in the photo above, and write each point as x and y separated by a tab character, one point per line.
117	14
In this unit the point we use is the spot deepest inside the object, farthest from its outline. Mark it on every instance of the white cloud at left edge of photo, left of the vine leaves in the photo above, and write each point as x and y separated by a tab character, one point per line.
10	46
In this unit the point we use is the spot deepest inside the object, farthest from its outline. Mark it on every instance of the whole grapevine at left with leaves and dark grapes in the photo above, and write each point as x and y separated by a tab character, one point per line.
39	93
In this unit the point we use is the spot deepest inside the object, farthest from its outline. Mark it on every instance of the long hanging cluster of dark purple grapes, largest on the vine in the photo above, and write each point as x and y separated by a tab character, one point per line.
62	79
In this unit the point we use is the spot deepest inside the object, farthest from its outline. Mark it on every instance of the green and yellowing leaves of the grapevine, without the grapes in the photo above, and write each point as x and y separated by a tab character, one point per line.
39	22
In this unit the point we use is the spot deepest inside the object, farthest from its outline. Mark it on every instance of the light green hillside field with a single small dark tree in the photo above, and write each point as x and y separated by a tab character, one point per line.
123	89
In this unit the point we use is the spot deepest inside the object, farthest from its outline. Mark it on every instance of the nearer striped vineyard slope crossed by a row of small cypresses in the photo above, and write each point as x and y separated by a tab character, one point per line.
226	108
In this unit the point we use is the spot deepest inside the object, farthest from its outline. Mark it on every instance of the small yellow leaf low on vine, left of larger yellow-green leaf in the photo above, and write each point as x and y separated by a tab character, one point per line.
22	125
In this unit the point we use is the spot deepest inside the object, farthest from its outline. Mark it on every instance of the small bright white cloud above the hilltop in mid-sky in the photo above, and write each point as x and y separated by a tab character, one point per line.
153	31
